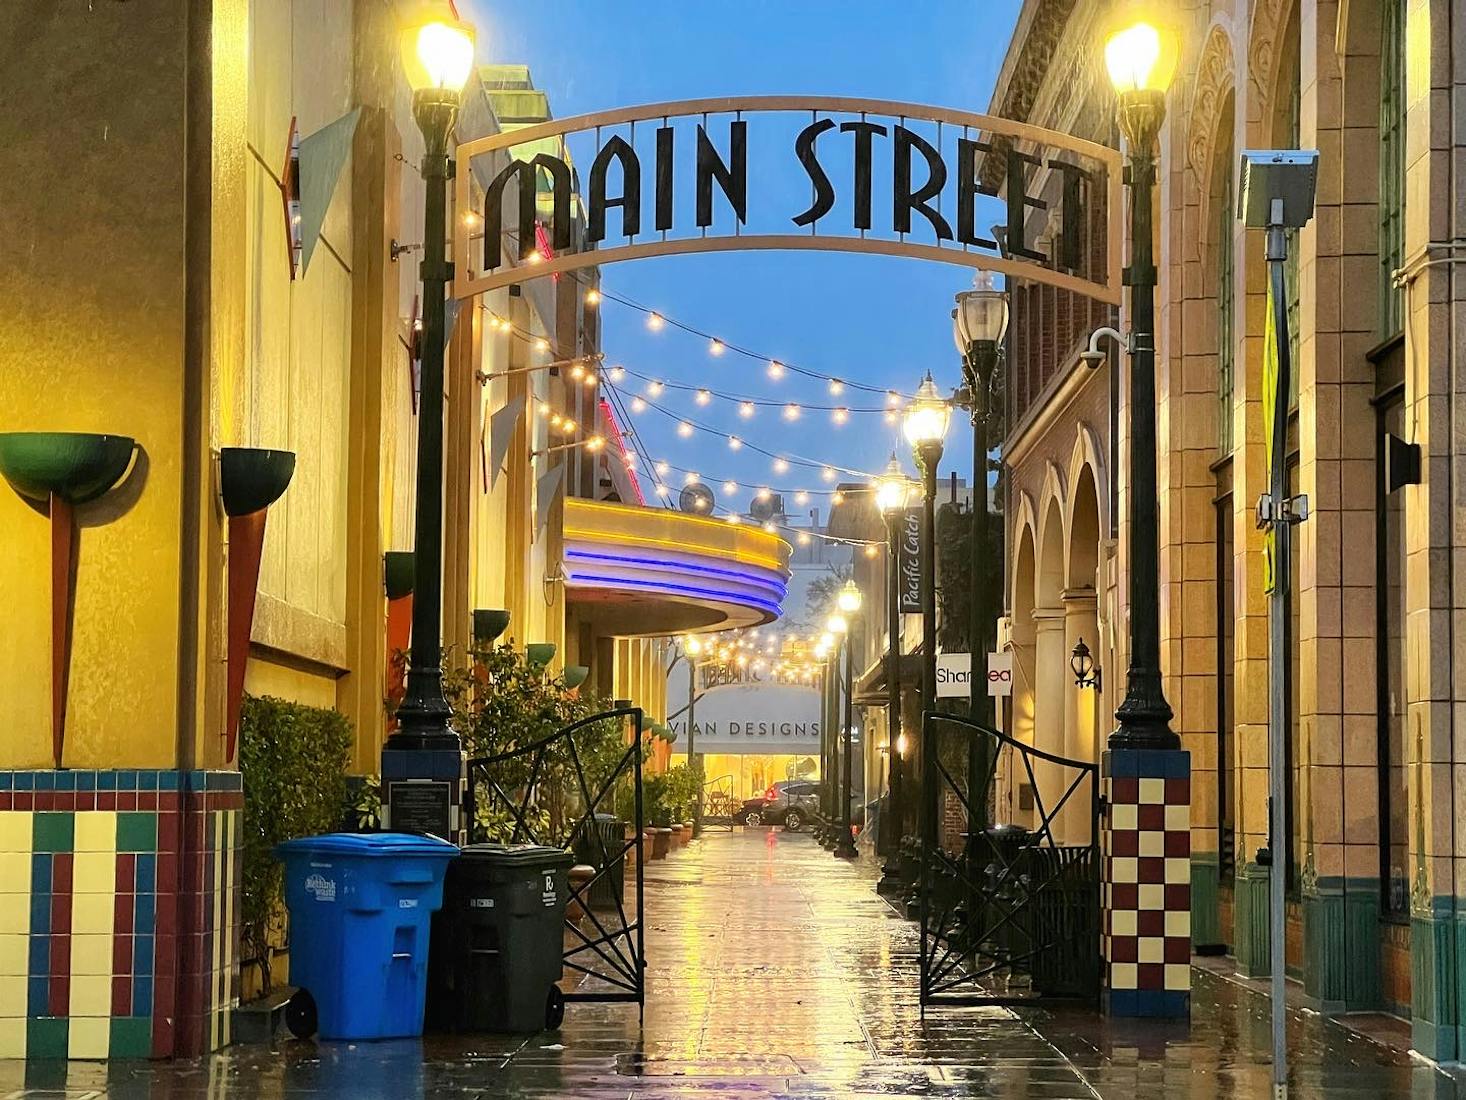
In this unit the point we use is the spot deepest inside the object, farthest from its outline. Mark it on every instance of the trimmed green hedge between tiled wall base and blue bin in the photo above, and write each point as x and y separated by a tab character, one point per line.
294	762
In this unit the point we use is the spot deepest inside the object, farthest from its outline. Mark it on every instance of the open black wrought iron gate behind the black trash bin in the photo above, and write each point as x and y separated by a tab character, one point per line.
549	794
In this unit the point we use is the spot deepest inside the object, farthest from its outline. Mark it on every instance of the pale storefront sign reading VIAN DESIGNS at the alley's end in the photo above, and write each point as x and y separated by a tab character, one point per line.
762	719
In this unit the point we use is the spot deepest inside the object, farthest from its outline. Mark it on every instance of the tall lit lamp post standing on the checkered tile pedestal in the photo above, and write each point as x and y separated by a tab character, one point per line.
1140	70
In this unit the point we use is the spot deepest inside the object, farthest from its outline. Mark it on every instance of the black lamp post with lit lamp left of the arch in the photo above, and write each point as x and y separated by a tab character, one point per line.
439	58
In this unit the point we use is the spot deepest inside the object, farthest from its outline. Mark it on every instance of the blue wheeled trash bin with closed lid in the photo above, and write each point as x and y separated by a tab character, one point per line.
361	907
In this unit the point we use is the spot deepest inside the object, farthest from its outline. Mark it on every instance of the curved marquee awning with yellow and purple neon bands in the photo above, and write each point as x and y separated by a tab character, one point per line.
644	573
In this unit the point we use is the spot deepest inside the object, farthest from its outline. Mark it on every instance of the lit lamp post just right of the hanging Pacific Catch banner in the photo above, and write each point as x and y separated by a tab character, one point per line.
926	426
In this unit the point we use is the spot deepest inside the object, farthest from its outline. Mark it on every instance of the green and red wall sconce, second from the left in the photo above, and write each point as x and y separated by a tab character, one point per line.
250	480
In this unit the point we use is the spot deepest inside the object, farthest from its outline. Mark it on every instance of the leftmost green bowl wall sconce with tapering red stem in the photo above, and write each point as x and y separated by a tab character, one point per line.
61	470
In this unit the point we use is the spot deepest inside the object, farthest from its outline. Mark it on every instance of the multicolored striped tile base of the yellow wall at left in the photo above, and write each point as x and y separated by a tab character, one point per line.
118	913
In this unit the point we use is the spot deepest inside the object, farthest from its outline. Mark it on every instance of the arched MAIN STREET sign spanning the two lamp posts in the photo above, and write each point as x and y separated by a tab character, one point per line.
772	172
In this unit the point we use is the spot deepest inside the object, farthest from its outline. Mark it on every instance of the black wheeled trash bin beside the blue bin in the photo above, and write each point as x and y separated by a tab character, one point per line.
499	939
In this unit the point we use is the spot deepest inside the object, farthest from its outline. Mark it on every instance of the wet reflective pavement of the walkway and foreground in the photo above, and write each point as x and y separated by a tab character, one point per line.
776	972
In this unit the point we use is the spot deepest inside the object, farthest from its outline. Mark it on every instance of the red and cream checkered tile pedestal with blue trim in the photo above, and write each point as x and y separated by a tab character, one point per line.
1146	891
